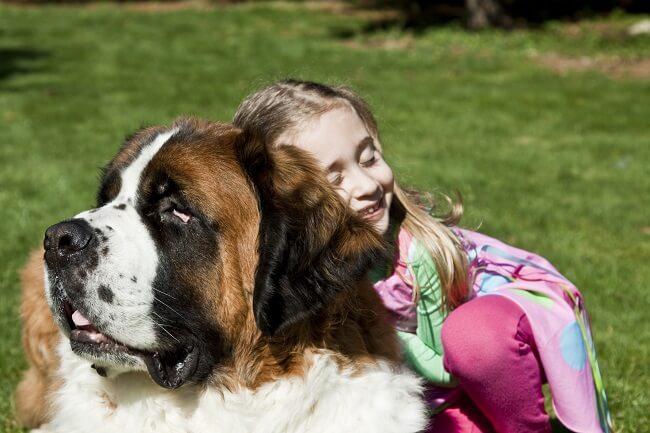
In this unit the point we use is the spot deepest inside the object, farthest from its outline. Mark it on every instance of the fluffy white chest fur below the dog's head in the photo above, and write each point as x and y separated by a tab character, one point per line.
325	399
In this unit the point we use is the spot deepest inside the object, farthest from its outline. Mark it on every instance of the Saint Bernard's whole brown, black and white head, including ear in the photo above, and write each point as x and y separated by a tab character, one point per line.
200	231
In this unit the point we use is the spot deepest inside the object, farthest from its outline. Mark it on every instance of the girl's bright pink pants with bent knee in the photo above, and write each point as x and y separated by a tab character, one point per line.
489	348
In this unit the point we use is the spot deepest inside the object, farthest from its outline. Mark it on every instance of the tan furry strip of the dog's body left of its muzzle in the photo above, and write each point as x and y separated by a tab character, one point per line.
39	337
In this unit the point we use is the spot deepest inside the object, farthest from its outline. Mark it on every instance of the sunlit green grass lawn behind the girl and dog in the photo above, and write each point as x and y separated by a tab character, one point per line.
553	163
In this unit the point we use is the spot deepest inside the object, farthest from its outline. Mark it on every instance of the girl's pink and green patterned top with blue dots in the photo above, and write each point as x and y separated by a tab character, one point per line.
553	305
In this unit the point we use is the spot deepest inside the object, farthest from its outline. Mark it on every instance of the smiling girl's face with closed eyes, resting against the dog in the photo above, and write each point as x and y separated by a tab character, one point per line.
347	152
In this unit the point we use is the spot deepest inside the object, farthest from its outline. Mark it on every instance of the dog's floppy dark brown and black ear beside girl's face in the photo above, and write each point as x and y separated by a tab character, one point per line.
311	245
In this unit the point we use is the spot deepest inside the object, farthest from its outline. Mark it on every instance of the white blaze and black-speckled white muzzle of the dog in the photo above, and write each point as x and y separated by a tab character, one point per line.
129	267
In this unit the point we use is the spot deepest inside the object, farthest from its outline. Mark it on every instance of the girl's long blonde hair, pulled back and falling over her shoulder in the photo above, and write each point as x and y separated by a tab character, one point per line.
290	104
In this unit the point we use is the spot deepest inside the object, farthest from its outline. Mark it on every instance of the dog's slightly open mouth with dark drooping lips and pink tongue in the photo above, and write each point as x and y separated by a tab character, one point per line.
169	368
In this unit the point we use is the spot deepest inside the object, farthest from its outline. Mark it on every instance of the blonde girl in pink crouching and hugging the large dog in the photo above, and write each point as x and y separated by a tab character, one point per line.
487	324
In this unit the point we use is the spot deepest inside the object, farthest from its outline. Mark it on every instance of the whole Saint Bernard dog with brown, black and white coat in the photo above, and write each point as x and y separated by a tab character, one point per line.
218	286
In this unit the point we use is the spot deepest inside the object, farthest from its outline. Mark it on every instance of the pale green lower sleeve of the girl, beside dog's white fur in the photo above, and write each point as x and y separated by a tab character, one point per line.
424	360
